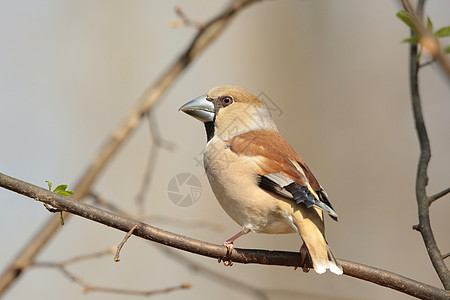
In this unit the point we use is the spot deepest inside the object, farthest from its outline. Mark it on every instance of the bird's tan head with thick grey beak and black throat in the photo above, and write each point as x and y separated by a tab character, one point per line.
229	110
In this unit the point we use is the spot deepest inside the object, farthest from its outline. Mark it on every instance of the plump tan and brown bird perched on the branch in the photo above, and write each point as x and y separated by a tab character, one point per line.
260	181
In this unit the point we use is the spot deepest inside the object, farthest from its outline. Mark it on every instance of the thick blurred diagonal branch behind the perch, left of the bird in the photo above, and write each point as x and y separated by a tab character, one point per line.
205	36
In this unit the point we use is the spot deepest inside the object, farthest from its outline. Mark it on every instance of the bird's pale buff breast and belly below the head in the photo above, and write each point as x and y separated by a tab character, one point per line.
237	191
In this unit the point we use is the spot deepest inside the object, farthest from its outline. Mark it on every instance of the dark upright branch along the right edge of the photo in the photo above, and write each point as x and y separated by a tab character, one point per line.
423	201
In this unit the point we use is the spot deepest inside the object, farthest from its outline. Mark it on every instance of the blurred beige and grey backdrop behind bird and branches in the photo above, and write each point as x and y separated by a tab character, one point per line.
336	70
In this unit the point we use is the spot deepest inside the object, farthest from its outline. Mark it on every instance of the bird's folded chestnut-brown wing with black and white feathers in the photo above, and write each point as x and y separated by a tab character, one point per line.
280	169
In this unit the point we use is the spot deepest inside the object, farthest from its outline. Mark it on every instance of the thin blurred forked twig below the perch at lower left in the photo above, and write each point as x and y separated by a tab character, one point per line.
62	266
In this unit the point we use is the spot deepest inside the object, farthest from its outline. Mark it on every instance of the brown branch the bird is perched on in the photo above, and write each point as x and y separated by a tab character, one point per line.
279	258
